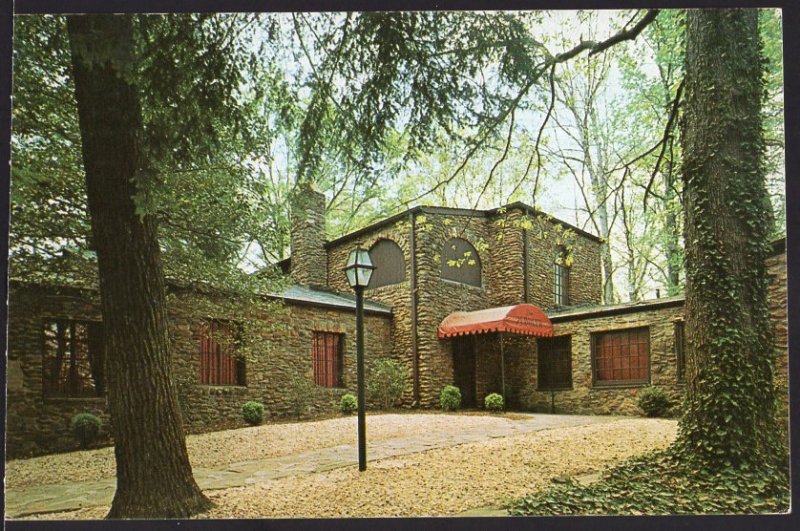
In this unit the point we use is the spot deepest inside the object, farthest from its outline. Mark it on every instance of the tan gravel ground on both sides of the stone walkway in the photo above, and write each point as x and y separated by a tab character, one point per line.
440	481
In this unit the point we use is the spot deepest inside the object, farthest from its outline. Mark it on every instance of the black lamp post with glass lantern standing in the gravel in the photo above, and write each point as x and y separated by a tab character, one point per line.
359	270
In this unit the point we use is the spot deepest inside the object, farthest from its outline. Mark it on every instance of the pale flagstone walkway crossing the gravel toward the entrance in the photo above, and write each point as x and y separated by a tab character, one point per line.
77	495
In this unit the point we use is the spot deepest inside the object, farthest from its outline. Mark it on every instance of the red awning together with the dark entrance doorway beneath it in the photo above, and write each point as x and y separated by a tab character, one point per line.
521	319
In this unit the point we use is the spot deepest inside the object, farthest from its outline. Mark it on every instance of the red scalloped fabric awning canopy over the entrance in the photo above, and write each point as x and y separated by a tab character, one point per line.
525	319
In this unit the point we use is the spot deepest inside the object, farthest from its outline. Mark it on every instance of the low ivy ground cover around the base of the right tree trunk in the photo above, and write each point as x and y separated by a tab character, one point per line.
656	484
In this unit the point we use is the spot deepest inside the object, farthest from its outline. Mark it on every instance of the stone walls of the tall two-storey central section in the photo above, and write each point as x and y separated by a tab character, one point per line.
498	237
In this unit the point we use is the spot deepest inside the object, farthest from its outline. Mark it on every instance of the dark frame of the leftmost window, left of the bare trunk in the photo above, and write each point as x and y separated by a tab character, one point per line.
99	385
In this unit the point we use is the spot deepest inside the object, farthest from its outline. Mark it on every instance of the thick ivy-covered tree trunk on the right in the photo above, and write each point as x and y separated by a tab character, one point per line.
731	401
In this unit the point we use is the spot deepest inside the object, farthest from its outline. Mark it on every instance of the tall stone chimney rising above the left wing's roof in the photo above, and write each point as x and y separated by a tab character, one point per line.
309	262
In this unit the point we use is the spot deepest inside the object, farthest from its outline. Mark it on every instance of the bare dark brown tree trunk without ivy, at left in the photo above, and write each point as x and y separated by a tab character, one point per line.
154	477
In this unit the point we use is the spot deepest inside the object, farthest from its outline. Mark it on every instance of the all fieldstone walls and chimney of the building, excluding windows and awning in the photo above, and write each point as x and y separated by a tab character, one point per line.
515	249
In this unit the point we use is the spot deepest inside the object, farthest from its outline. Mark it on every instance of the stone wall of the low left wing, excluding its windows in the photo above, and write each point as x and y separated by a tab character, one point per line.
36	425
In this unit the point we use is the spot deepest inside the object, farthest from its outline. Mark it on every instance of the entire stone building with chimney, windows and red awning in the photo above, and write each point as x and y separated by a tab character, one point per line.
505	300
